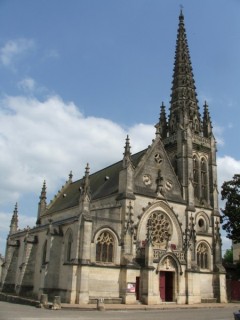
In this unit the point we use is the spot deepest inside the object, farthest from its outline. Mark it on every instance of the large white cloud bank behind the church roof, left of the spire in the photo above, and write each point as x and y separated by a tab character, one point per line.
46	139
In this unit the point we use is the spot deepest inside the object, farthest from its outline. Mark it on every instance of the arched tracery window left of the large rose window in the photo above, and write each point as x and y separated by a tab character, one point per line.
104	247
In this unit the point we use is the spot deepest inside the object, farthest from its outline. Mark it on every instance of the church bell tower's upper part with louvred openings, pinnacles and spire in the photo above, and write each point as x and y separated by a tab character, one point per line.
188	137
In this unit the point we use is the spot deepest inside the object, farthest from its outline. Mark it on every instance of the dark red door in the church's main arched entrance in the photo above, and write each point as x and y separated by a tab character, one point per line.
166	285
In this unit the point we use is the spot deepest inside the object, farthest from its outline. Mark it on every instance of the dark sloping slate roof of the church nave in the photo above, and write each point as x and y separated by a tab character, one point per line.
102	183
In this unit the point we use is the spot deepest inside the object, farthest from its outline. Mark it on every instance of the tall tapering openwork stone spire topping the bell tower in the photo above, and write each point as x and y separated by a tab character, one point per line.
184	108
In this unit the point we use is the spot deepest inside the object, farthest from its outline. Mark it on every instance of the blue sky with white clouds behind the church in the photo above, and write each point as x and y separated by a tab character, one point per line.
77	76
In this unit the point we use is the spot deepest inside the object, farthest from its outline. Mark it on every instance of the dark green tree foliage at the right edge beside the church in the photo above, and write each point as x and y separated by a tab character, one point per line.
231	212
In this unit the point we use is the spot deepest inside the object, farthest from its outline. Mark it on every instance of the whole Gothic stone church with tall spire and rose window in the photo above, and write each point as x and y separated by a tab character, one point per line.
143	230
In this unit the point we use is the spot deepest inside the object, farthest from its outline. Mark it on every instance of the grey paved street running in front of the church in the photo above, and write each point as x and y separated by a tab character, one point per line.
21	312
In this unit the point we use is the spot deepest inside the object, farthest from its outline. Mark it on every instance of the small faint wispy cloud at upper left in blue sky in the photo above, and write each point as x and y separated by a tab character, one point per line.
13	49
